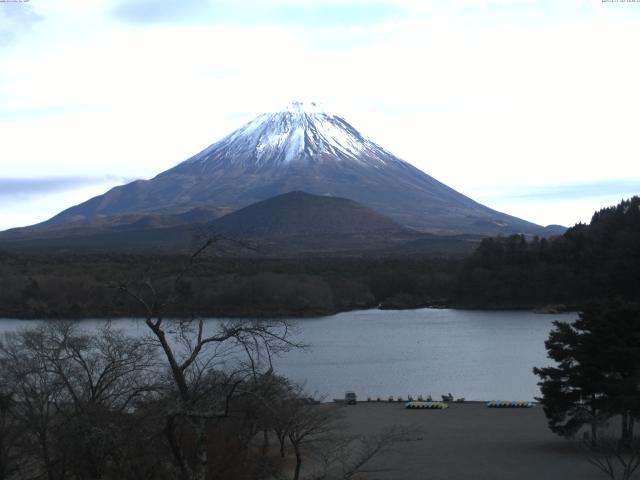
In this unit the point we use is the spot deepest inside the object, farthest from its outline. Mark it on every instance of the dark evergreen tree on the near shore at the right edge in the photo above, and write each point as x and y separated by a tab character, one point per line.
597	374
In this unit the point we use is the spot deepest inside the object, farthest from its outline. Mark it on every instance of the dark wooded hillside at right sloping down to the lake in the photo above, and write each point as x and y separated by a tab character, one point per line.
596	261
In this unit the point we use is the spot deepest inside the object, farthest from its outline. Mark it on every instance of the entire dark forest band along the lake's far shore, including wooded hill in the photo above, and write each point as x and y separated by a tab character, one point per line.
598	260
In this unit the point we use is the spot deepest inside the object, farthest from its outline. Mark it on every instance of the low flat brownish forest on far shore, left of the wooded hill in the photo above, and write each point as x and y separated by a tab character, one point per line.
81	286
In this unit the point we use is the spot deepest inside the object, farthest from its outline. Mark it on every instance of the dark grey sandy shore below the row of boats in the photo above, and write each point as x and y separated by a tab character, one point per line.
470	441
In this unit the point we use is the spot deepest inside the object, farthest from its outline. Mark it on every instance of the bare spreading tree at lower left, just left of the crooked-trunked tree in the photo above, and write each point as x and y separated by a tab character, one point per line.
102	375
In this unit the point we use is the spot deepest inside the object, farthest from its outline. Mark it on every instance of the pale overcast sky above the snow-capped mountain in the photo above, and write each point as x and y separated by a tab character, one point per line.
528	106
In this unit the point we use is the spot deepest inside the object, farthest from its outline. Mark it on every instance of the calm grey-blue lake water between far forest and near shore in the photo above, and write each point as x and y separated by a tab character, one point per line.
479	355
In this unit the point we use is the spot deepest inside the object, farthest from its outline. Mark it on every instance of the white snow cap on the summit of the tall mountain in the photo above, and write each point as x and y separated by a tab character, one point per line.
301	132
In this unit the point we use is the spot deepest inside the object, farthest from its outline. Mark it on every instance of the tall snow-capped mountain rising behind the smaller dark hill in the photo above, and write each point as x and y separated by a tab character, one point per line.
300	148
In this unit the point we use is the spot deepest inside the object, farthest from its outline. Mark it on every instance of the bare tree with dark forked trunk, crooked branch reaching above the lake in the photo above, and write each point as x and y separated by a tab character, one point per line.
192	351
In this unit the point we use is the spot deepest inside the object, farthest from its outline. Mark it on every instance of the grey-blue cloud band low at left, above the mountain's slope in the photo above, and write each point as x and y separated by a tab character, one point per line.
10	188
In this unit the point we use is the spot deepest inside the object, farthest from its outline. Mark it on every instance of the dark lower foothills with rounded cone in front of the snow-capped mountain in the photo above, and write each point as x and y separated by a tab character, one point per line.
291	224
